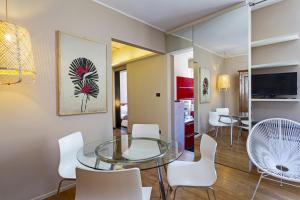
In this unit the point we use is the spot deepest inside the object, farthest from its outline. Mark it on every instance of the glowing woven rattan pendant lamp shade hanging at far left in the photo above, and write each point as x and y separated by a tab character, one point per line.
16	57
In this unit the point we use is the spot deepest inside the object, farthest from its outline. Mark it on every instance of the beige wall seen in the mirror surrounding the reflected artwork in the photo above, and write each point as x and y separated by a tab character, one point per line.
215	64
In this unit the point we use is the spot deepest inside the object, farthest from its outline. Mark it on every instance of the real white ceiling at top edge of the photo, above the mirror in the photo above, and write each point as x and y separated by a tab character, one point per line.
167	14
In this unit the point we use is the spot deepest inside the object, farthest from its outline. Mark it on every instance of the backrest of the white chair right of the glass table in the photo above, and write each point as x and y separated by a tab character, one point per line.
208	147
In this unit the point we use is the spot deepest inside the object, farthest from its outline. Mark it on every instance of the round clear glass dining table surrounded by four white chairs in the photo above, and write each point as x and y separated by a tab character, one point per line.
123	152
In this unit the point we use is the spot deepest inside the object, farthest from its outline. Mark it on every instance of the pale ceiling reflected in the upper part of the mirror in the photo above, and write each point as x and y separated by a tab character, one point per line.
225	35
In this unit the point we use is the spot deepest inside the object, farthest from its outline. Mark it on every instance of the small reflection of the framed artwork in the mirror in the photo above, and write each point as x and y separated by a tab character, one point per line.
205	85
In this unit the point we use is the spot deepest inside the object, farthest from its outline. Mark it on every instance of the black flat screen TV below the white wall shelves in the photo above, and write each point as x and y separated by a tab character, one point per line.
271	85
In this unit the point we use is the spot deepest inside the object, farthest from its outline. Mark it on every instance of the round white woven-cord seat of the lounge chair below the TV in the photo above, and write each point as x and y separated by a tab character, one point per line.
273	145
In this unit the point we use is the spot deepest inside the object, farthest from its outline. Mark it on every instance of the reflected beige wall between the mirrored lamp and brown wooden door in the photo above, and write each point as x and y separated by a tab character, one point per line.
232	66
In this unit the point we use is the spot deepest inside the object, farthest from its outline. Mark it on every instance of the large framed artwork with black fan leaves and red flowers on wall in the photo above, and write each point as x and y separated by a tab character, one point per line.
81	75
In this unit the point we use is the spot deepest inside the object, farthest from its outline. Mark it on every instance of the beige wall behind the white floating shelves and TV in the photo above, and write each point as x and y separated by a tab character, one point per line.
278	19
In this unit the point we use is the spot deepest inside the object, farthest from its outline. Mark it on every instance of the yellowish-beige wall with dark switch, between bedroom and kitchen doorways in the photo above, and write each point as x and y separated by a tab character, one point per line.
146	78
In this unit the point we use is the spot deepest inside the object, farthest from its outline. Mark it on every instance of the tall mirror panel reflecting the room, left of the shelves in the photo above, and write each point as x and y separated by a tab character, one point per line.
220	47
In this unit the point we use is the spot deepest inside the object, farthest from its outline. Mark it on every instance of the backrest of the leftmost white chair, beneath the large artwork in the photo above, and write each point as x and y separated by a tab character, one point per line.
68	148
